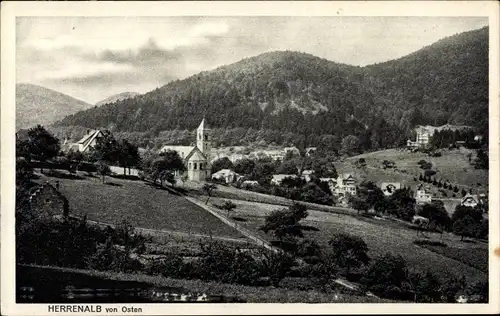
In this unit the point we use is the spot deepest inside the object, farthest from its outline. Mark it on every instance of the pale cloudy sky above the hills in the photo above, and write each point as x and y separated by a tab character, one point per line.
92	58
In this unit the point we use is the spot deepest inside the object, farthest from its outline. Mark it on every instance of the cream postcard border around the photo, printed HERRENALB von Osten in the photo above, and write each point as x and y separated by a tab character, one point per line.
10	10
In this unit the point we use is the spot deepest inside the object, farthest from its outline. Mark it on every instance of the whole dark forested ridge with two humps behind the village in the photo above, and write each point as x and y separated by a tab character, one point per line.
446	82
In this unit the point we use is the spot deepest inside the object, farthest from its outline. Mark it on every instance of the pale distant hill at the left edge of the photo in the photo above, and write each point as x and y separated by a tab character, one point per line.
39	105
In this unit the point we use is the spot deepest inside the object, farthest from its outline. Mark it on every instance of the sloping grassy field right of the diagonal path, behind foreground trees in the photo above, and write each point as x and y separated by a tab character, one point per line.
380	236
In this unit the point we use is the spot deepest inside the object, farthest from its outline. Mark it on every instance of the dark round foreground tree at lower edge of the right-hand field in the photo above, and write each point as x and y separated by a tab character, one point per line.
349	251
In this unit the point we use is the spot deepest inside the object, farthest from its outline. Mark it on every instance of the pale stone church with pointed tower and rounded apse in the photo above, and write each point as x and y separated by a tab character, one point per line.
197	158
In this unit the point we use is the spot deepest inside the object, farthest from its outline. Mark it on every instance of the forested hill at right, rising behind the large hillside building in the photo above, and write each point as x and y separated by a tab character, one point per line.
447	81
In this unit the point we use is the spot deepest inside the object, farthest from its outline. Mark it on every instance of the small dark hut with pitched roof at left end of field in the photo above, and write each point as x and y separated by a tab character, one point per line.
46	200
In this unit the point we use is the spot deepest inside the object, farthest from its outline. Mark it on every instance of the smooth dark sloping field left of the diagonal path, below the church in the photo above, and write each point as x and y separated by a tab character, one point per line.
139	203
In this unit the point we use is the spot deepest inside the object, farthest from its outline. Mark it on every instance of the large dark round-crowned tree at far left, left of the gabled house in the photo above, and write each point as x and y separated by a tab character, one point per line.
42	144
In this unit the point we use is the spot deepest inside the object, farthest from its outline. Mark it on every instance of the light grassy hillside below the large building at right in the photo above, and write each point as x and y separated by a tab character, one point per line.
453	165
